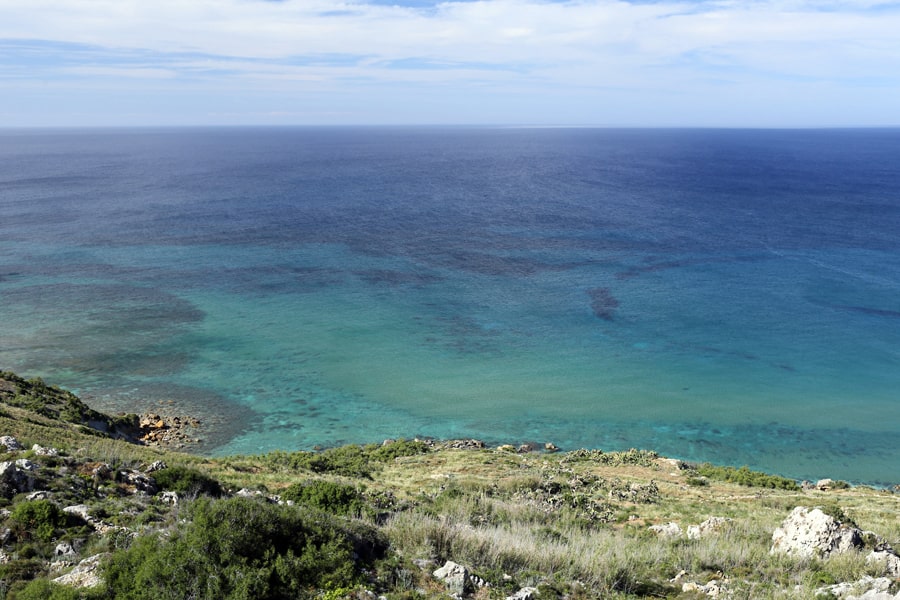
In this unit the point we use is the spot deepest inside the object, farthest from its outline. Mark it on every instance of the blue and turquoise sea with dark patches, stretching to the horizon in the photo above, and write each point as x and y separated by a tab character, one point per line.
716	295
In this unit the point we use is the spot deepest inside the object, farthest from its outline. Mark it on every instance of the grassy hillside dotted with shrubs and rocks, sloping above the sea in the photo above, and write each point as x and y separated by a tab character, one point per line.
377	520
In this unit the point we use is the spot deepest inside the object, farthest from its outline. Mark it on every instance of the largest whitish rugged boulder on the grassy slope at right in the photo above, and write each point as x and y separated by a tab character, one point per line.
810	532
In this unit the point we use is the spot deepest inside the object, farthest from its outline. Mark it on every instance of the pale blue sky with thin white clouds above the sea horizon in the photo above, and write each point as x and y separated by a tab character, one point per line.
690	63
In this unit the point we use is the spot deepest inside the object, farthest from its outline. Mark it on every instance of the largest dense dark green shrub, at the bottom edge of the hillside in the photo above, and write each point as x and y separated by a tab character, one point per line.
244	548
